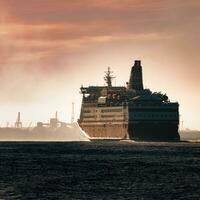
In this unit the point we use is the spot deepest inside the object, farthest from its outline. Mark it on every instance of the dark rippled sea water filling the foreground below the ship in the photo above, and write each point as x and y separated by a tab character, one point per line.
84	170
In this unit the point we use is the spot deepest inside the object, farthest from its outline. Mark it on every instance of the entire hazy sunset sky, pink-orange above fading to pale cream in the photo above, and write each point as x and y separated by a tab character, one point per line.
49	48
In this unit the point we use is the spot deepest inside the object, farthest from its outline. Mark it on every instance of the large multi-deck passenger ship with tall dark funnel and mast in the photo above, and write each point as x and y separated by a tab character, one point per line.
110	112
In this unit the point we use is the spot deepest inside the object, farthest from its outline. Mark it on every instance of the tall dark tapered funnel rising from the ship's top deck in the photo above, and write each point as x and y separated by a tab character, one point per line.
135	81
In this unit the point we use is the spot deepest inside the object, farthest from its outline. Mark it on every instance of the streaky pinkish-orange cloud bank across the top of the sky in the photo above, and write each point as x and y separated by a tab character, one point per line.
42	30
